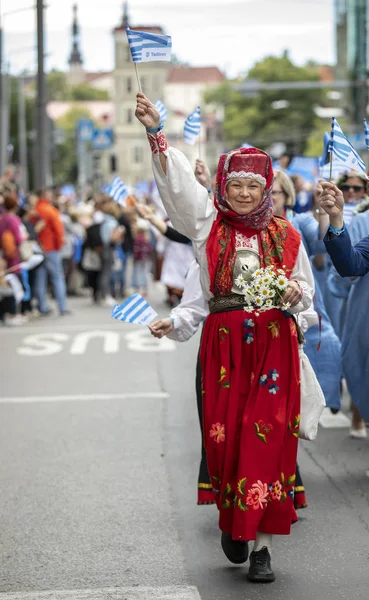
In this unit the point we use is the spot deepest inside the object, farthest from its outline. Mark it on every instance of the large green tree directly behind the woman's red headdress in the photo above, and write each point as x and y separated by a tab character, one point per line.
271	116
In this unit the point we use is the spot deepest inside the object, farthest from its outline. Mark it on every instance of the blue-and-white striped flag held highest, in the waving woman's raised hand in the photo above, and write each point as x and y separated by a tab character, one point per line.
149	47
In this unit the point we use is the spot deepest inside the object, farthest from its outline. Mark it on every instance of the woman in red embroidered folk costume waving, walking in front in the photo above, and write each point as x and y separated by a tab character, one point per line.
250	361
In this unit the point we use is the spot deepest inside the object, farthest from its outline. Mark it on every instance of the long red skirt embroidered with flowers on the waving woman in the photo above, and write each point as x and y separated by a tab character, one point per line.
251	403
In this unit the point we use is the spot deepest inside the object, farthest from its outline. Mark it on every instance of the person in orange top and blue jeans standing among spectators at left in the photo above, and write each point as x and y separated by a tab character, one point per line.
51	239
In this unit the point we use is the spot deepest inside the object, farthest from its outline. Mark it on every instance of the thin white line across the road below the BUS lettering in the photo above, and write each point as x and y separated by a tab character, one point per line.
83	398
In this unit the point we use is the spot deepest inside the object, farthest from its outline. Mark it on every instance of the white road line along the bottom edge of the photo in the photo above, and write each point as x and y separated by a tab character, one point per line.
125	593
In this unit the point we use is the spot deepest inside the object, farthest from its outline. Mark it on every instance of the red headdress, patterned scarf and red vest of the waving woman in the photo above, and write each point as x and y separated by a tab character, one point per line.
272	231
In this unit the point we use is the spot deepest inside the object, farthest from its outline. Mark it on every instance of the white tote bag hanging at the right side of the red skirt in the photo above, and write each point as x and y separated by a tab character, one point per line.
312	399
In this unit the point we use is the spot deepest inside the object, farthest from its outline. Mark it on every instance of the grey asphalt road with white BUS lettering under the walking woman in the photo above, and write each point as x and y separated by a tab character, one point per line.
100	444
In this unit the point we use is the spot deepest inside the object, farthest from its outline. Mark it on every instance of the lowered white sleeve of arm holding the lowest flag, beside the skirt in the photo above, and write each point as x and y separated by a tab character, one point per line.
192	310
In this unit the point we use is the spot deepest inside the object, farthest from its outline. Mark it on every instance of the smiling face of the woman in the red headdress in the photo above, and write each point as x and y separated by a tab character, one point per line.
244	195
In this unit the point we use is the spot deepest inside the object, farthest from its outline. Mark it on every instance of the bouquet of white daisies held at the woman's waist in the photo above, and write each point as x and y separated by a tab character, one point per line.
264	289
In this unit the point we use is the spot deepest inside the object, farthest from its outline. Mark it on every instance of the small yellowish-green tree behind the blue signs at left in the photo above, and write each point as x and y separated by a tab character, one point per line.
65	163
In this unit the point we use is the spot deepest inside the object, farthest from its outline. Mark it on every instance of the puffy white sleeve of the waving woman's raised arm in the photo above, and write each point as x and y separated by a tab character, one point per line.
186	201
